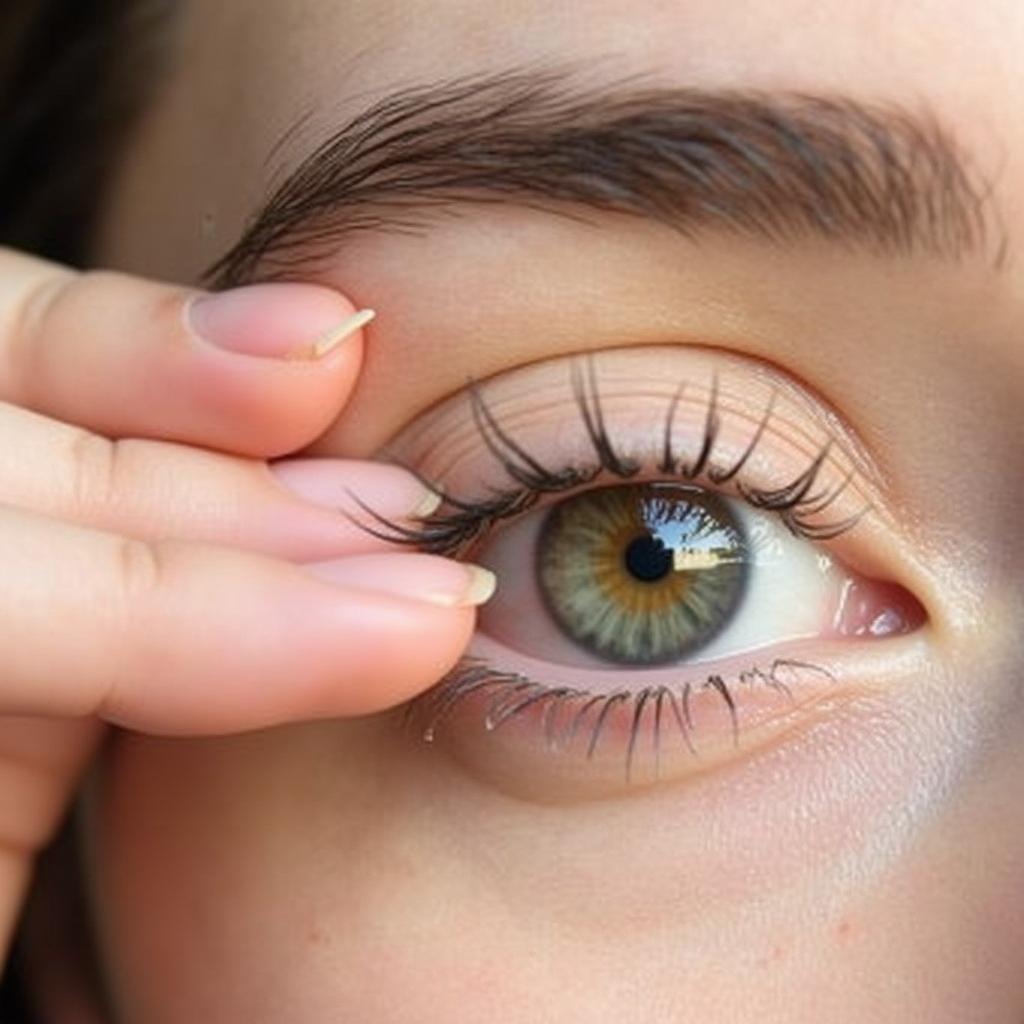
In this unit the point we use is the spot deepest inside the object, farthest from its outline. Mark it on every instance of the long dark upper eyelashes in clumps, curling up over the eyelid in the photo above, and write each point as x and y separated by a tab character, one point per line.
459	524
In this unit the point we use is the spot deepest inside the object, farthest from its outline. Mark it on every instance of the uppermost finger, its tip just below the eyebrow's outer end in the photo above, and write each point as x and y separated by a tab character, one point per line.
238	371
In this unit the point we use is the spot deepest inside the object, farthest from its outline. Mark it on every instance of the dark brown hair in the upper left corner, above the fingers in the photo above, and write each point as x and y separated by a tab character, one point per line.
74	77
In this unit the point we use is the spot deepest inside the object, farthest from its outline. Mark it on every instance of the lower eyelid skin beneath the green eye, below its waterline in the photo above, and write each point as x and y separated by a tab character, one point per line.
529	758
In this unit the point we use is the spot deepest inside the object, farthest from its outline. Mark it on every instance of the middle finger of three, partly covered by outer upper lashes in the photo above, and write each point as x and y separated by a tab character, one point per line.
301	509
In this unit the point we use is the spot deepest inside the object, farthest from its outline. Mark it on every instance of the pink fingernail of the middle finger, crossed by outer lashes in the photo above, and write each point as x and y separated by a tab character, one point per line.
390	491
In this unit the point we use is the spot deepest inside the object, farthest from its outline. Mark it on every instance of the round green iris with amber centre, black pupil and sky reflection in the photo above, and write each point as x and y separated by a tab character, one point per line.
643	574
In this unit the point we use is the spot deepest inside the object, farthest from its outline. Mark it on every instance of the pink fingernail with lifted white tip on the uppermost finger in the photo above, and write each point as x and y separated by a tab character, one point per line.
278	321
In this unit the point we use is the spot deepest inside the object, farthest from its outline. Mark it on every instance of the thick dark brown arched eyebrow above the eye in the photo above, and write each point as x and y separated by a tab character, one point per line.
773	167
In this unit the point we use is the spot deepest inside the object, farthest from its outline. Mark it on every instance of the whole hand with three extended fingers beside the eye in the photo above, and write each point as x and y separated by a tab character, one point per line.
154	584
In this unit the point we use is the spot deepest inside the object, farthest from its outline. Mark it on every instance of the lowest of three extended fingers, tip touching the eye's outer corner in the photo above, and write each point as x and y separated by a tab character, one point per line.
178	637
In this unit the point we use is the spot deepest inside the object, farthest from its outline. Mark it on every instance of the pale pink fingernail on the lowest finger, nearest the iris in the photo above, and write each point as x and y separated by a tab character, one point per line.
424	578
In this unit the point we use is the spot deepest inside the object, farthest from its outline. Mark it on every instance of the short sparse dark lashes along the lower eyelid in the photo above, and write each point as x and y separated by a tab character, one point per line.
568	711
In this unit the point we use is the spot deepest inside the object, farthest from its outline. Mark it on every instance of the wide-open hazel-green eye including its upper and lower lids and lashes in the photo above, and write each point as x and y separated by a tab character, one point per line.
695	560
